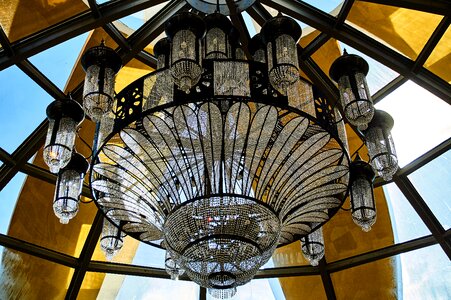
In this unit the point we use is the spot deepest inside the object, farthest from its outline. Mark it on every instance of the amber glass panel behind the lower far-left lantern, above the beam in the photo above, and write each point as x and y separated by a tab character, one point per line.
34	221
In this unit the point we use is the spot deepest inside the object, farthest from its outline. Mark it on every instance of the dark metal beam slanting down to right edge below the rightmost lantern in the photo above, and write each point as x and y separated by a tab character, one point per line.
423	210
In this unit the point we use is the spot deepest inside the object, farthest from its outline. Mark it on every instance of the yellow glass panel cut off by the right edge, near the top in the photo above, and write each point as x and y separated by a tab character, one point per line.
439	61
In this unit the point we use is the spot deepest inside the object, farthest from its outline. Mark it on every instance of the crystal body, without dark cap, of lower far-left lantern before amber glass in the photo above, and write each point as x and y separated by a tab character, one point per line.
67	195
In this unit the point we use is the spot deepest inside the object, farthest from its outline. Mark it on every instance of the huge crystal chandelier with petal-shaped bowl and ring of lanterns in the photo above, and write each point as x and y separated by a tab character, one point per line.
216	157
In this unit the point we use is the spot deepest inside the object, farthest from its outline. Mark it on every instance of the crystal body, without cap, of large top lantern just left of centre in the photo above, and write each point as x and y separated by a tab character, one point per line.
185	69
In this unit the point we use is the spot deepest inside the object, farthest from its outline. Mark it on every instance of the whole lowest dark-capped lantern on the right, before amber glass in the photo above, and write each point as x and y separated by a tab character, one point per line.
363	206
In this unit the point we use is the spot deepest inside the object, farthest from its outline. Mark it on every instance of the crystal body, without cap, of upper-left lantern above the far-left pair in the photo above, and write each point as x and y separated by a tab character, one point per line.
98	91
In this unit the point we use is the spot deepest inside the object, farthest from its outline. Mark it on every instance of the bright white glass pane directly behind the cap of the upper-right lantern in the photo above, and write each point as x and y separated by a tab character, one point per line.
378	76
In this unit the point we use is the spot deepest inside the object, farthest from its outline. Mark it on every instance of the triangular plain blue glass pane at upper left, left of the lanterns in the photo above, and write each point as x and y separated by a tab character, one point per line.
57	62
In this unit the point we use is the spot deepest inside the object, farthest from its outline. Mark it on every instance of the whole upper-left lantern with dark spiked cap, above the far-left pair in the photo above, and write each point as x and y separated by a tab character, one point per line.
101	65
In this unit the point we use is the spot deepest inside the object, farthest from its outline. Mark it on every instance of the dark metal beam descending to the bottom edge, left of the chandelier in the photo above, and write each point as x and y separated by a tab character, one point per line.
85	257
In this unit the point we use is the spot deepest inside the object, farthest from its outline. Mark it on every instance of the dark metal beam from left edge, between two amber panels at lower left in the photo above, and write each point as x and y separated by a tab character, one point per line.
38	251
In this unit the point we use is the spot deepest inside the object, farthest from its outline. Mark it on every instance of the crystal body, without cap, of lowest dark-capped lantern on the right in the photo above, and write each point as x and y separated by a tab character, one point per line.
363	206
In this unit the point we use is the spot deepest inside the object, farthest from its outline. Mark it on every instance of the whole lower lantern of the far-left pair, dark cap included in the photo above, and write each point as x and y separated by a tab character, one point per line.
68	188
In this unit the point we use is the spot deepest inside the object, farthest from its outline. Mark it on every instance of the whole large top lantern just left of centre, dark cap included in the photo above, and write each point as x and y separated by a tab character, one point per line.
184	30
